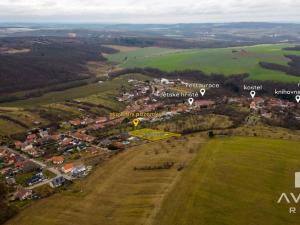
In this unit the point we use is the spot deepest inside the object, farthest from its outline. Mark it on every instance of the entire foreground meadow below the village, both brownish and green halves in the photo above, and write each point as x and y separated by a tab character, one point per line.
226	181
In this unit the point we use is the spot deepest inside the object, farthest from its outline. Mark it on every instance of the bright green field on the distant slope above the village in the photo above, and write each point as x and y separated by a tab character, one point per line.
220	60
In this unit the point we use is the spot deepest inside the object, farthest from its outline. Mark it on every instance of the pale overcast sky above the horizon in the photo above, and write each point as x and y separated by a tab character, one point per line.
146	11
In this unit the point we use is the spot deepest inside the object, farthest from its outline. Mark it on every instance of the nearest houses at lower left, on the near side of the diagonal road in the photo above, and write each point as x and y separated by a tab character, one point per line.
13	165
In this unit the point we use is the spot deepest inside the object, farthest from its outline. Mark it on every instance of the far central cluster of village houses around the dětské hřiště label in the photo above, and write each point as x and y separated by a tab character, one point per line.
146	98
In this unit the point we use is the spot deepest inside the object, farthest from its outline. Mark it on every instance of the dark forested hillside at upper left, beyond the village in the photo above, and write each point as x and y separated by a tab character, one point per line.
27	63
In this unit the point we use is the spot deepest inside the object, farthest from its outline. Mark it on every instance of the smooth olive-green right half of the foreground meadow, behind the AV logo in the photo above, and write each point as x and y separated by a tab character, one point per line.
235	181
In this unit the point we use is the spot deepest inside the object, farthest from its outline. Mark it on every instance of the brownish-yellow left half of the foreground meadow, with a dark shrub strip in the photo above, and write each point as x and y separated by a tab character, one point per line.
115	193
